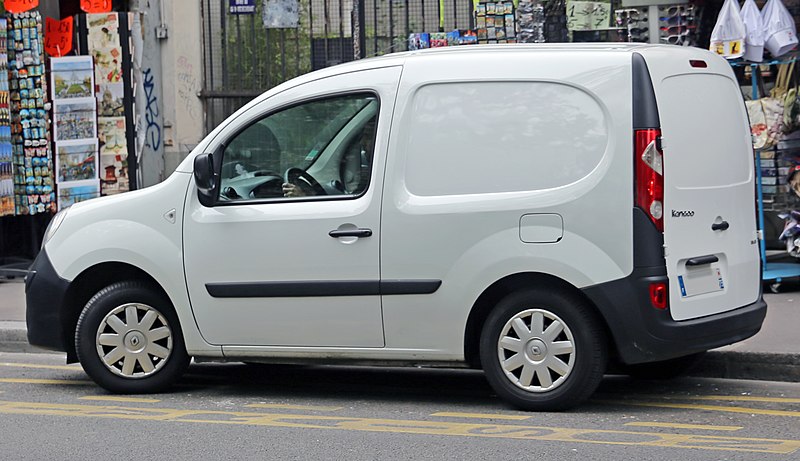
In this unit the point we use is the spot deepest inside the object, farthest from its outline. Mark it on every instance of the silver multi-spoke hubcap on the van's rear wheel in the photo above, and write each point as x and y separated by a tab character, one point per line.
536	350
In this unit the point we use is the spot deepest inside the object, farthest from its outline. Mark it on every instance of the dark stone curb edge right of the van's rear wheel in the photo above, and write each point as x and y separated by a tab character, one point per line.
762	366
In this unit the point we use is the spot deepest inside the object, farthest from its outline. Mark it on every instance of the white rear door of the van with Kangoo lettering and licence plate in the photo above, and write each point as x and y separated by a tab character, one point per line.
710	239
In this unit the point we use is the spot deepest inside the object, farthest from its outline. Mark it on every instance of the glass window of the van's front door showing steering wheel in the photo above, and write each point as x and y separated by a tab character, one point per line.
318	149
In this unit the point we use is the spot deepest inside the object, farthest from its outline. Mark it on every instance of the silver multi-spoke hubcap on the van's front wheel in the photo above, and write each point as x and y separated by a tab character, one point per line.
134	340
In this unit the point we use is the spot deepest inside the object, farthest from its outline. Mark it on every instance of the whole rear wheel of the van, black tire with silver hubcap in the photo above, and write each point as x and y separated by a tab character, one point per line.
535	371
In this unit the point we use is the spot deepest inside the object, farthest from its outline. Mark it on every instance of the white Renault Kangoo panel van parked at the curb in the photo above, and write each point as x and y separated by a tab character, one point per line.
536	211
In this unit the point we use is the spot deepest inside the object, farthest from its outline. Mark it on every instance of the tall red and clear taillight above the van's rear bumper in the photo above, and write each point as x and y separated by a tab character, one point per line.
649	171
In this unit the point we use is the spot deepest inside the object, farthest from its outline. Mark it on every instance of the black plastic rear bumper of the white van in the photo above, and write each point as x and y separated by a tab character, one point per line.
642	333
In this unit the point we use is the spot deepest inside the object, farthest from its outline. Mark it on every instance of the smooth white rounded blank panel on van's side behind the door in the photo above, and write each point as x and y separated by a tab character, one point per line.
472	138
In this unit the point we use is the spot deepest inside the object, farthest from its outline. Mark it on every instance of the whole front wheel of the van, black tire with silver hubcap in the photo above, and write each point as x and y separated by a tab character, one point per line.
128	355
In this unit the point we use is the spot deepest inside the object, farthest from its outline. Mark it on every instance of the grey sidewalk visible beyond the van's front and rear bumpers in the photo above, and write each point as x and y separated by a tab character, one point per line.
773	354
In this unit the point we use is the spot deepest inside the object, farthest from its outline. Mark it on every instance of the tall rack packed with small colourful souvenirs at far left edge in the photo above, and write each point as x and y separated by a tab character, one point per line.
27	197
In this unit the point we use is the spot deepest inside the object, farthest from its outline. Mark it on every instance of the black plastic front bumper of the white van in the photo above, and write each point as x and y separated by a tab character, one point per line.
45	292
